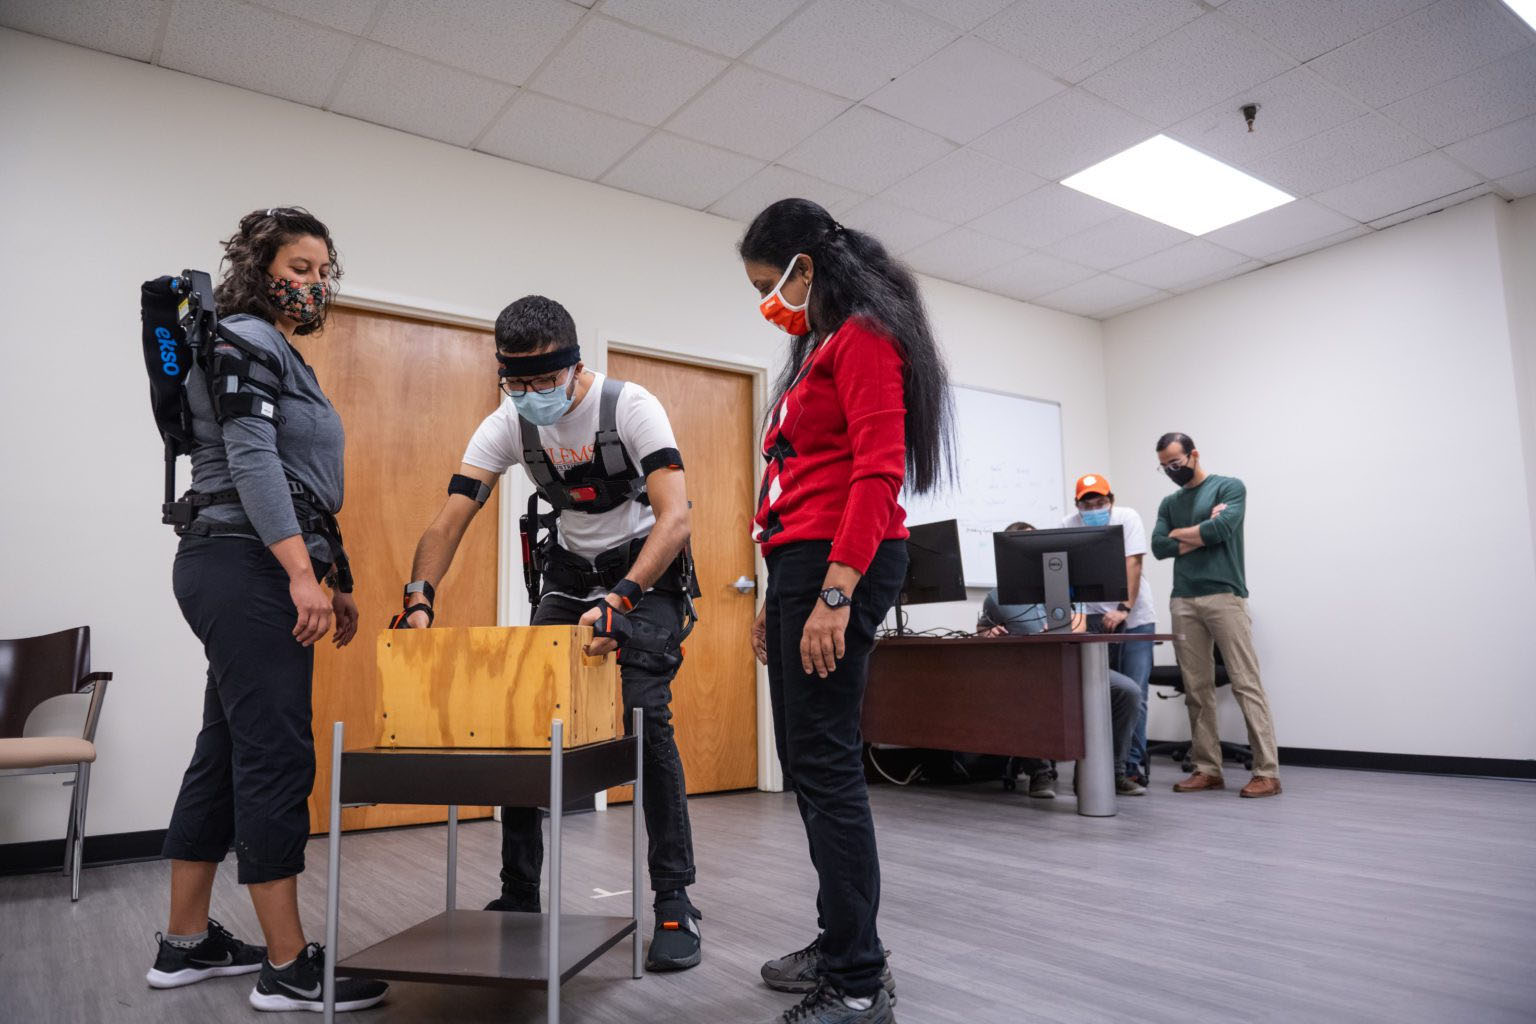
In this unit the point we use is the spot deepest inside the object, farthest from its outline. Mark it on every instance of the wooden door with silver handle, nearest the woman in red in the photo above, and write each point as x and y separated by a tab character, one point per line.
715	698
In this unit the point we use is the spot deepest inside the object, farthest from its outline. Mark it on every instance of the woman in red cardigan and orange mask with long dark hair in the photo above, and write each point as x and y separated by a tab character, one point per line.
862	406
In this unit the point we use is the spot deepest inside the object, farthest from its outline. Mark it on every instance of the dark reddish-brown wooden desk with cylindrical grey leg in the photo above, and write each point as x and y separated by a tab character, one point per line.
1038	696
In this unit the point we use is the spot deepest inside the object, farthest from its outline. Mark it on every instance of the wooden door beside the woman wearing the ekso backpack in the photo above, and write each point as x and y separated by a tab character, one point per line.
409	394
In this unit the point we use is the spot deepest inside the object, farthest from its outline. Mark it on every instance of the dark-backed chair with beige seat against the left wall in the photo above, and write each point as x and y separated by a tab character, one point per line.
35	670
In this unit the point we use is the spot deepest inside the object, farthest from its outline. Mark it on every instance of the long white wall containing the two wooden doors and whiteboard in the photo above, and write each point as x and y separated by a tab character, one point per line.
101	194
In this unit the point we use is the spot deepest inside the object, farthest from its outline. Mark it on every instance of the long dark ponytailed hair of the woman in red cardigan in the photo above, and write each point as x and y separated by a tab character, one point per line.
856	277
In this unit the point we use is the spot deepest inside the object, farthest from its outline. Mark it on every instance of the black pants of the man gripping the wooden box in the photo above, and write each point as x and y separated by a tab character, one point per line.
647	667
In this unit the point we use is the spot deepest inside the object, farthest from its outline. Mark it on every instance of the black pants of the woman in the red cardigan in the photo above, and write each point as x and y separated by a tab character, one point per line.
816	728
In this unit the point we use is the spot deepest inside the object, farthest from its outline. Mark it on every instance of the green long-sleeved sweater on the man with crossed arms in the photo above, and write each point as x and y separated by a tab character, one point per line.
1216	569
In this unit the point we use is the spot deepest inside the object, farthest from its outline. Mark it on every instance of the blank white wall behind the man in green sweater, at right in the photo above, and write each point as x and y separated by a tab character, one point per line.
1366	394
